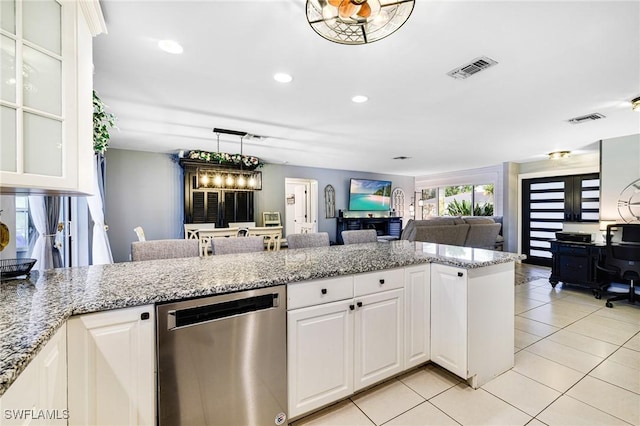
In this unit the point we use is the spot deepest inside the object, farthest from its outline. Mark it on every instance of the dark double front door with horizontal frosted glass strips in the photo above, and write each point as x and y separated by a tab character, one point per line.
548	203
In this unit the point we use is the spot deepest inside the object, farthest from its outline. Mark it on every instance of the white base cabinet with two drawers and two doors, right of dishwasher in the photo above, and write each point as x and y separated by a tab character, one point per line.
343	334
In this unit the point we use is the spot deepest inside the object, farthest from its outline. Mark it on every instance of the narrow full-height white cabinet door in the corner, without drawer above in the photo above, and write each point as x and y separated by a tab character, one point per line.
417	323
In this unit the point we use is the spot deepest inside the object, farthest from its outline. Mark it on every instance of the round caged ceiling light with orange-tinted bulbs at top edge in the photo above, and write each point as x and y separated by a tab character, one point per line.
357	21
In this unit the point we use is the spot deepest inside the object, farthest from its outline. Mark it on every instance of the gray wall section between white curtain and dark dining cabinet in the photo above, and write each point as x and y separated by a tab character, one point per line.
142	189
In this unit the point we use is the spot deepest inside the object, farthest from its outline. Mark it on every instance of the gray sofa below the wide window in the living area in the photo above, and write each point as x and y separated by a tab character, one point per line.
471	231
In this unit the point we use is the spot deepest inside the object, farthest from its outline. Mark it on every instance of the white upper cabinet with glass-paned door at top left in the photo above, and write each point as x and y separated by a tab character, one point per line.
46	109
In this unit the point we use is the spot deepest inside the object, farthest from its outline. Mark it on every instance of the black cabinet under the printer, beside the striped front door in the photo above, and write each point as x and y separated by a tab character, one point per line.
575	263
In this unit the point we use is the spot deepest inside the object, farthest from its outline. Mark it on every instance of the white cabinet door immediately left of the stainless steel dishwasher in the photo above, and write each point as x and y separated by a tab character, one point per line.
112	378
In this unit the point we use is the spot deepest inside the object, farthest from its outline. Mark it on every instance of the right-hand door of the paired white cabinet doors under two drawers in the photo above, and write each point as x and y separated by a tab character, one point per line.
379	335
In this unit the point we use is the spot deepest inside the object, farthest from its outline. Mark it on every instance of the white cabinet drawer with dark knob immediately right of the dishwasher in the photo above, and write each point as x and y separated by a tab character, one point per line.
316	292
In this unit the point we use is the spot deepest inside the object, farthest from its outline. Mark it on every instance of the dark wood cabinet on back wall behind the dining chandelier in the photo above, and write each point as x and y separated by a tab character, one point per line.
219	206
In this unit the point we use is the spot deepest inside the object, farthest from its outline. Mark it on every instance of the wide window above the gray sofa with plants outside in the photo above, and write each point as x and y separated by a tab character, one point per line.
458	200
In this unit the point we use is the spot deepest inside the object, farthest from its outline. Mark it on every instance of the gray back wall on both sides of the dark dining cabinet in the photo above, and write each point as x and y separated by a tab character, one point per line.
146	189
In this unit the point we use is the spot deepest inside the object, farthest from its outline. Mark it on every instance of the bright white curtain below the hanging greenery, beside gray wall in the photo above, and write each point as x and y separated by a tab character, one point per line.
100	249
